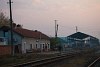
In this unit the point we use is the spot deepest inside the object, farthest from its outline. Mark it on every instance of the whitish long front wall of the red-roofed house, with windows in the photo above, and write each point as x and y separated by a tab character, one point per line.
27	41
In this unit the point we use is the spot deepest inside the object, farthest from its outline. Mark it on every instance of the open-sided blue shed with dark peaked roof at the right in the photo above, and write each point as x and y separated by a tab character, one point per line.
80	40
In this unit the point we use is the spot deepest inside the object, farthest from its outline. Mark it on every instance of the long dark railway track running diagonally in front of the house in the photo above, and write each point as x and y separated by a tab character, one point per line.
40	63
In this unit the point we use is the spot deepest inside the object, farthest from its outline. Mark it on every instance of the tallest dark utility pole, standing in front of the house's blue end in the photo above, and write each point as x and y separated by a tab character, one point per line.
11	28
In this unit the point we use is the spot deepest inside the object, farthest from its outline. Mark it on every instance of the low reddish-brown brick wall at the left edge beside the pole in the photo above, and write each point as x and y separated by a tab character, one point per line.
5	49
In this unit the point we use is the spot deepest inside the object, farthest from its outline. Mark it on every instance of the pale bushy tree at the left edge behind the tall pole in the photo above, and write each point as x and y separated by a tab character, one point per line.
4	21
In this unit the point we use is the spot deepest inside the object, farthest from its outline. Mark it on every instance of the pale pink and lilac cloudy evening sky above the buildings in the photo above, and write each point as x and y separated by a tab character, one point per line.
40	15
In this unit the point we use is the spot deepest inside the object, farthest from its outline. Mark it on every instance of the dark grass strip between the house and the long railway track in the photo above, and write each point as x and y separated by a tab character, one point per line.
8	60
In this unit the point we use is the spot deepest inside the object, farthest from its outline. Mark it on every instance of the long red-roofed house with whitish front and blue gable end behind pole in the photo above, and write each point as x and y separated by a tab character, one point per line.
25	40
